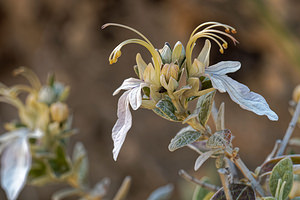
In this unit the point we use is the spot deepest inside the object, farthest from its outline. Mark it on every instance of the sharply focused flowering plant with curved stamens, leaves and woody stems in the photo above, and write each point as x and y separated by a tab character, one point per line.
171	81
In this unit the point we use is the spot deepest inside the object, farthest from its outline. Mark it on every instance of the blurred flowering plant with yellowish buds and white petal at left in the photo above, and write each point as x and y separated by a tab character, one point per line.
33	151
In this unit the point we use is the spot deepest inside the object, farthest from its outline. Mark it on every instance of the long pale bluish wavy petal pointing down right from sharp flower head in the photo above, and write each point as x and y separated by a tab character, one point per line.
242	95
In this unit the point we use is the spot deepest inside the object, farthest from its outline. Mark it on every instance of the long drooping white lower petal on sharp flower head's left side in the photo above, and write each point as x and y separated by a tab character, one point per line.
122	125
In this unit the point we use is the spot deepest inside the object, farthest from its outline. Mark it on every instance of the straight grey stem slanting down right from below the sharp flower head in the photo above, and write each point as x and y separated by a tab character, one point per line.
246	172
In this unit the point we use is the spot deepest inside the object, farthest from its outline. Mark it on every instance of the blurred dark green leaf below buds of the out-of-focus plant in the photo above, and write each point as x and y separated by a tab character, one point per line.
60	164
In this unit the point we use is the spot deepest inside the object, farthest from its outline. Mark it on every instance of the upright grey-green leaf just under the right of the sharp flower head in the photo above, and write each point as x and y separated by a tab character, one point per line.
204	105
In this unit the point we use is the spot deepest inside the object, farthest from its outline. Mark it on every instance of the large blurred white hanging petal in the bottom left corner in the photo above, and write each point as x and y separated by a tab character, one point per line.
15	165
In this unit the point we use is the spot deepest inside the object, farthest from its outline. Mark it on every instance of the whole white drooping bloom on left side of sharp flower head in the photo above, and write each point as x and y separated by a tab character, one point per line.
132	96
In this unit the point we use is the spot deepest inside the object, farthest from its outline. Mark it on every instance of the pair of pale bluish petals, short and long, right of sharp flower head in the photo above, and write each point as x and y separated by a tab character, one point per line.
238	92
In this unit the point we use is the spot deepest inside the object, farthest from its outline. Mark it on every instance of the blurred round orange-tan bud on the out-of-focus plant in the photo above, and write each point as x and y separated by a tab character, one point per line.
59	111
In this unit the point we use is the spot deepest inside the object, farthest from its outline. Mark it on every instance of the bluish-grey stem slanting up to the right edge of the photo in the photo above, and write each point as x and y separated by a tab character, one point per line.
289	130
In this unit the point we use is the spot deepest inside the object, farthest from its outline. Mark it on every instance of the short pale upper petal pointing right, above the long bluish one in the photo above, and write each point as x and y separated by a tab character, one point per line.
224	67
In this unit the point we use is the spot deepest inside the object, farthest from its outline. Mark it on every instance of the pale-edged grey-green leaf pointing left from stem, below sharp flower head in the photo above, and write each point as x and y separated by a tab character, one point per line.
184	137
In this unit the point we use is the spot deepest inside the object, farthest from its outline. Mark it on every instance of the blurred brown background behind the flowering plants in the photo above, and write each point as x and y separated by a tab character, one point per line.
65	37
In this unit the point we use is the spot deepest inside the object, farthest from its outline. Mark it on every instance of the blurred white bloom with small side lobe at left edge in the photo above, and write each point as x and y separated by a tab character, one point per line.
15	160
